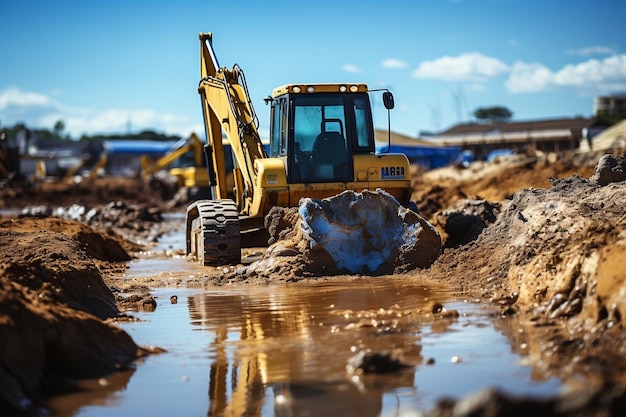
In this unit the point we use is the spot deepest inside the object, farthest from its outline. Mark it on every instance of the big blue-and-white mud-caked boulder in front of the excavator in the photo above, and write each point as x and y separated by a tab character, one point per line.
368	232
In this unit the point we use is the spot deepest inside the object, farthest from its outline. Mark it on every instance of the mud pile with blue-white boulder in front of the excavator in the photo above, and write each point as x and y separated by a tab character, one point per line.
366	233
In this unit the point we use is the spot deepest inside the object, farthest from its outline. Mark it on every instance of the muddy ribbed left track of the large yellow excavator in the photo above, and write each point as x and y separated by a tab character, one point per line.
212	232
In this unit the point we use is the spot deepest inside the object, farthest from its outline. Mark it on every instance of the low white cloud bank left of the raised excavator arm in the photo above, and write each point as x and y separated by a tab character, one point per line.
38	110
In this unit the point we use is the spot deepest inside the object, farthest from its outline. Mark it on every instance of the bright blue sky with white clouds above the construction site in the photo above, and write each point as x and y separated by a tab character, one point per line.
113	66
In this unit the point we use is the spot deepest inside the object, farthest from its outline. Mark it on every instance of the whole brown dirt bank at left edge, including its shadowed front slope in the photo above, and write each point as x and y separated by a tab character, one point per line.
52	305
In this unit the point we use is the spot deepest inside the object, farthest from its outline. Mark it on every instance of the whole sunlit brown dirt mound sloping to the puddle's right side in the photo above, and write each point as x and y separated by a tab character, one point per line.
555	256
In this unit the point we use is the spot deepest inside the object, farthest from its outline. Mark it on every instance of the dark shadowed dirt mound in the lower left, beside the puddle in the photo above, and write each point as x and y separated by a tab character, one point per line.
45	345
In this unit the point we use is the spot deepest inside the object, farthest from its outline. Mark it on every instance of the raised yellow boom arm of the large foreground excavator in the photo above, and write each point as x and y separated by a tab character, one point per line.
228	111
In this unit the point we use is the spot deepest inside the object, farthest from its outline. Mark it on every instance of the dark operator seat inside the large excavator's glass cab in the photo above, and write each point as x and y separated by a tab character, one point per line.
333	159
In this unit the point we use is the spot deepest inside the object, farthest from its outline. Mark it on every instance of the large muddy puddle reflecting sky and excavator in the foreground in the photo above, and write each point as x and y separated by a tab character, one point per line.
285	352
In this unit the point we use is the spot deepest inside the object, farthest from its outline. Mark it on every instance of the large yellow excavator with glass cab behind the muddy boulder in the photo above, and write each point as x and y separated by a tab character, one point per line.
321	143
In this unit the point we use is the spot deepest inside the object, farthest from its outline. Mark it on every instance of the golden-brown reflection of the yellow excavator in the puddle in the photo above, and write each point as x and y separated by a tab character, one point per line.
251	362
